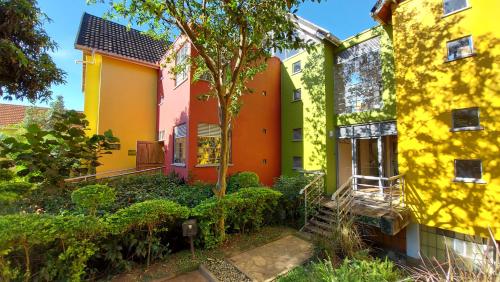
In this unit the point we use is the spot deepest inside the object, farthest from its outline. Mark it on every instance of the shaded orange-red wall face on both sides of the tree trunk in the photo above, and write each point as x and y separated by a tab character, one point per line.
256	129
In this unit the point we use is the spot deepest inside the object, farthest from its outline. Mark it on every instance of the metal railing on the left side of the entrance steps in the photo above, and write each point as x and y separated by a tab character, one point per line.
313	195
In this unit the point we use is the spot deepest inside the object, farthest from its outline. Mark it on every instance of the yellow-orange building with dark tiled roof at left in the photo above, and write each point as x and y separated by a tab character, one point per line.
120	77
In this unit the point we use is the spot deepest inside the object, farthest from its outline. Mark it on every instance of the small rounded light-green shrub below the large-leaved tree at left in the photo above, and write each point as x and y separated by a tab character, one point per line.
92	197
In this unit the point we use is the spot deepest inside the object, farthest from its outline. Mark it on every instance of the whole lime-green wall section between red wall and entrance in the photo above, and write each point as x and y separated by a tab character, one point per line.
311	113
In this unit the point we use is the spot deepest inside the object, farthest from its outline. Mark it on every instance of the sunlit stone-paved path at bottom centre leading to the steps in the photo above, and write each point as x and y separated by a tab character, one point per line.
273	259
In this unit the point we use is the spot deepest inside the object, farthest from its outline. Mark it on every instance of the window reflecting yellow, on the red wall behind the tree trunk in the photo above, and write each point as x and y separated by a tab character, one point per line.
209	144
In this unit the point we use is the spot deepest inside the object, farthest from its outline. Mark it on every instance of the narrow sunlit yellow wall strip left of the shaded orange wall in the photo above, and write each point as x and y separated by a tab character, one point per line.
92	87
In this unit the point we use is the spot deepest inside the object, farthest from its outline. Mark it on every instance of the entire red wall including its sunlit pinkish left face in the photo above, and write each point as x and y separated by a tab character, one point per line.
256	130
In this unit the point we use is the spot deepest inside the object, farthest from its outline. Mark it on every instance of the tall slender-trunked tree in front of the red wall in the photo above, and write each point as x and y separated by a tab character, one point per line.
232	38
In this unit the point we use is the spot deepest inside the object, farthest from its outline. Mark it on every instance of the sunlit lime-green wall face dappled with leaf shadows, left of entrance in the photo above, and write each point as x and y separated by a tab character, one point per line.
313	81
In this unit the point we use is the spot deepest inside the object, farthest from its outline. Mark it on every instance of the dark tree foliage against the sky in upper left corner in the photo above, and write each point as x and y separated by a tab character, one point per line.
26	69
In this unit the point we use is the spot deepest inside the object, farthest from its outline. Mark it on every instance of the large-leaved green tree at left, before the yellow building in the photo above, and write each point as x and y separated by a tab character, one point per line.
51	154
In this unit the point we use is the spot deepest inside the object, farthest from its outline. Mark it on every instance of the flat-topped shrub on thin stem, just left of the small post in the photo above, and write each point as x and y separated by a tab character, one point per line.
150	214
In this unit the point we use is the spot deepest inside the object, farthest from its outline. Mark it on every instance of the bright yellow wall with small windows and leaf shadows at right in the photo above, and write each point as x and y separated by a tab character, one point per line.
428	89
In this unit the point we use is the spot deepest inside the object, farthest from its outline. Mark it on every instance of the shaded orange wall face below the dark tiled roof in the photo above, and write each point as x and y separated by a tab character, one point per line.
126	106
